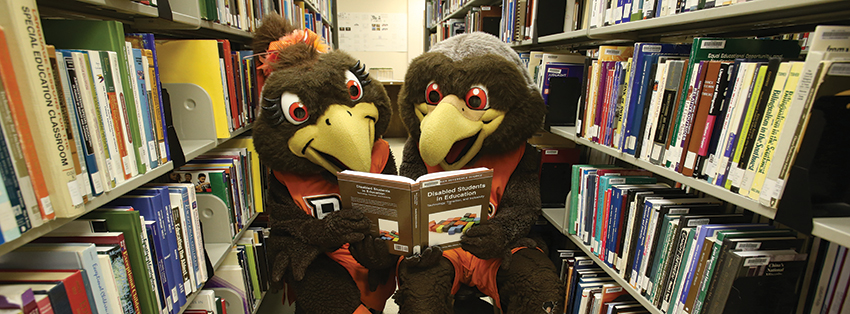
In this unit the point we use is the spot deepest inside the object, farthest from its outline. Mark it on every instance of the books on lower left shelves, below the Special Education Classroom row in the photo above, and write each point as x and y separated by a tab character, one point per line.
158	229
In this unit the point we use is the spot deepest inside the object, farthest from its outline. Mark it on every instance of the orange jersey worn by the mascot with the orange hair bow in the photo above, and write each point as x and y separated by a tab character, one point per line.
319	197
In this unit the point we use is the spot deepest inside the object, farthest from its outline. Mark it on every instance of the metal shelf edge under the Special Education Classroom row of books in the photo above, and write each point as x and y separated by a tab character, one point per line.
101	200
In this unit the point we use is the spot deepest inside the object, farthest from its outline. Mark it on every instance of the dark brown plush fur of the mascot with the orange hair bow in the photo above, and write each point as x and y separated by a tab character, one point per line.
299	241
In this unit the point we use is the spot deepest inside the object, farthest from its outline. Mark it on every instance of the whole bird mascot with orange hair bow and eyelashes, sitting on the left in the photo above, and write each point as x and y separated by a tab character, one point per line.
321	114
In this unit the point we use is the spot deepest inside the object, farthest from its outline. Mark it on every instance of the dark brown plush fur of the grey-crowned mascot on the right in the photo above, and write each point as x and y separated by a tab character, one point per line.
526	279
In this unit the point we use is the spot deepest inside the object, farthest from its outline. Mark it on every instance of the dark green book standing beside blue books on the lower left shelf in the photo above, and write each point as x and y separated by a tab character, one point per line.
129	222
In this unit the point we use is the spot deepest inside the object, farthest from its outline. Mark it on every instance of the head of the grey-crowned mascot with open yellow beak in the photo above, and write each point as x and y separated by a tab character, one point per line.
469	95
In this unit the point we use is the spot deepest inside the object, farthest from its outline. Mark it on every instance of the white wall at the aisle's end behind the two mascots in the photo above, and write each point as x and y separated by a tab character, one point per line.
396	60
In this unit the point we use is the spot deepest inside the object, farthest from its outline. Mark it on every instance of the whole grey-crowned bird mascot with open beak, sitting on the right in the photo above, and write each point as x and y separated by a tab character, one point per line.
469	102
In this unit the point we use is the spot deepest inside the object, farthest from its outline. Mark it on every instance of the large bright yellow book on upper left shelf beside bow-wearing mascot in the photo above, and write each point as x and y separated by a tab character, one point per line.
196	61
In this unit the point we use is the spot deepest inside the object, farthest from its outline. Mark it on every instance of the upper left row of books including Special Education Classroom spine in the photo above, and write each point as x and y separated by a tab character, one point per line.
75	122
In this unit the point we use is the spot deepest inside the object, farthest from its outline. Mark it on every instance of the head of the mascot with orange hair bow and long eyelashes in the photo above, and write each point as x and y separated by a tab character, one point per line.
320	110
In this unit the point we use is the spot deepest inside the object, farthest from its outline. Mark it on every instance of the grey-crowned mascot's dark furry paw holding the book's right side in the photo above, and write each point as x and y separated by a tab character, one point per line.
485	241
